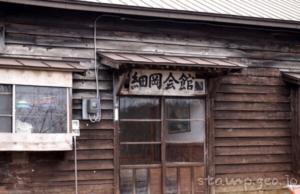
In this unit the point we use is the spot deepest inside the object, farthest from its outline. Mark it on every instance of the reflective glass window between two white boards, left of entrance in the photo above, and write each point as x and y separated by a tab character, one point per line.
34	109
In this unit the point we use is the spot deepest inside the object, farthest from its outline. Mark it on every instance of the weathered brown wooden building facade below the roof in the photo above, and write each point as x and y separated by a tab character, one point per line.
244	118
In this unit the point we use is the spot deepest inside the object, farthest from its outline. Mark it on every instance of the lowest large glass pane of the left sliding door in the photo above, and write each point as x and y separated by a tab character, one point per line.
140	154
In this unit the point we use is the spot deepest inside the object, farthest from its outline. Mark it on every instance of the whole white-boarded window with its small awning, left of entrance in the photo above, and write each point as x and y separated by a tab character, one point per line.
35	105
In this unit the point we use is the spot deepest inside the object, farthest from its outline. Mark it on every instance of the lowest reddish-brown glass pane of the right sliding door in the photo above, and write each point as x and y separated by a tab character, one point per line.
185	152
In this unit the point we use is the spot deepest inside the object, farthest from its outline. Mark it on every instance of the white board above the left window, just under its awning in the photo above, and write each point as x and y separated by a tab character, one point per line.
36	78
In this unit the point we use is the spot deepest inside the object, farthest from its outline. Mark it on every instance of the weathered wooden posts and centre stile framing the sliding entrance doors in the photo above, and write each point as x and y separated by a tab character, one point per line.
212	85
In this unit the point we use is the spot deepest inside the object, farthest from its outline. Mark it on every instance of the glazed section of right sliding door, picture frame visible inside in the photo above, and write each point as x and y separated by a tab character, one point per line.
184	131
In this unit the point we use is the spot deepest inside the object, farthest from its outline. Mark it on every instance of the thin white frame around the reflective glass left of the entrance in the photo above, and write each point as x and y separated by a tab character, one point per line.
13	111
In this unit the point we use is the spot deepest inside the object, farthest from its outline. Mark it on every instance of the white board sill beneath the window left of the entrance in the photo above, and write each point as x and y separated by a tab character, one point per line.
35	142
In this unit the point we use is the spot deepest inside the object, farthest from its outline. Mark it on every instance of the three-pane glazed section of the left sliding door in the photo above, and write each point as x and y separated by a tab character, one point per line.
140	130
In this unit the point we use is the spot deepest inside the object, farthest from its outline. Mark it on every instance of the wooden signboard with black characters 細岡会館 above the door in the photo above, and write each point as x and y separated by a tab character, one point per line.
165	83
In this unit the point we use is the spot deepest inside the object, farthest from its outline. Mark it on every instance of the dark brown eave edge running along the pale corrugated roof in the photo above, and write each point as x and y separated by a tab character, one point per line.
161	13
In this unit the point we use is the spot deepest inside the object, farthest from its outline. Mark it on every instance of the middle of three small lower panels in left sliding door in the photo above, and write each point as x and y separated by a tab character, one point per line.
141	182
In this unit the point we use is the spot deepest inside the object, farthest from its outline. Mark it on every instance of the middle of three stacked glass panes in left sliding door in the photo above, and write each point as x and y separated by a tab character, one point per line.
140	131
